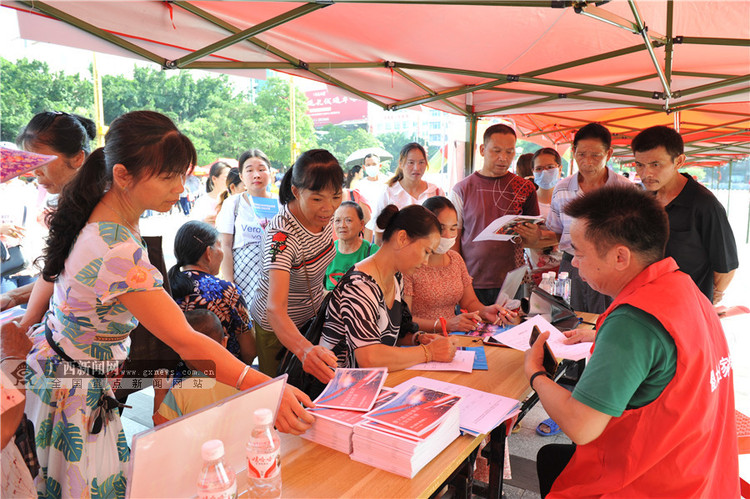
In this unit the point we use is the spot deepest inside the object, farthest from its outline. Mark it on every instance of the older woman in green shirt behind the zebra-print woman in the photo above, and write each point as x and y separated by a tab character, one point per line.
348	222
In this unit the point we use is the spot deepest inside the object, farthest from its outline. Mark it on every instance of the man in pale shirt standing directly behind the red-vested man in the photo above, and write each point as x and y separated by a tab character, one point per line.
592	148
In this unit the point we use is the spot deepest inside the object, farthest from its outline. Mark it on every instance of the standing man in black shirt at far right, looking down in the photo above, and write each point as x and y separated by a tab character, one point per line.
700	238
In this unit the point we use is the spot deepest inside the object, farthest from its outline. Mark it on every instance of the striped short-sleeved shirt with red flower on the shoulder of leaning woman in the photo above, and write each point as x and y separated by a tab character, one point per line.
290	247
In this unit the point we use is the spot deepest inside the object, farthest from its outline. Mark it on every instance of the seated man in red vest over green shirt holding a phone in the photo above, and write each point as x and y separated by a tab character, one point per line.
653	413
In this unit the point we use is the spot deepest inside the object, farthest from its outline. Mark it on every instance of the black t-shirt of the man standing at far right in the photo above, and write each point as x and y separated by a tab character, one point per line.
700	238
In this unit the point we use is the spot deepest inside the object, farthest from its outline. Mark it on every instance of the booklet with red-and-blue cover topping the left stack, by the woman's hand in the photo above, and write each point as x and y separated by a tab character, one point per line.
353	389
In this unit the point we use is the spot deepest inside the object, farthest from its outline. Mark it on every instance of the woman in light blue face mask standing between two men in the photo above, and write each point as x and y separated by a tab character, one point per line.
543	254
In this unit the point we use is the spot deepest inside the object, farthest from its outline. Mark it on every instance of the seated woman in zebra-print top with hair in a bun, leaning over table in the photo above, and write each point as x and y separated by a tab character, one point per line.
367	320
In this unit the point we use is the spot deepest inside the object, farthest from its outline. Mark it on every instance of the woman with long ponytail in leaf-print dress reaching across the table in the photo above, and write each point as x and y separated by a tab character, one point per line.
103	286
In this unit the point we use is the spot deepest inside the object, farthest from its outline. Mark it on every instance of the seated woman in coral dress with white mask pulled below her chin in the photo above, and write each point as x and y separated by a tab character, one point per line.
433	290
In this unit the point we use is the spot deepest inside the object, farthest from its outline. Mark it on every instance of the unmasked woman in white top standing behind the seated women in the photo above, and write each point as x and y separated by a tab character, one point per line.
406	186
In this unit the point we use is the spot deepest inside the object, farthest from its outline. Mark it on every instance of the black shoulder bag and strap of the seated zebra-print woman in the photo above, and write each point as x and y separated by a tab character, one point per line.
292	366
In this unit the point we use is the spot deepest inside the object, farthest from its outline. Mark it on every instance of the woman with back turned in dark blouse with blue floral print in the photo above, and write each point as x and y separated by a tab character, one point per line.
194	286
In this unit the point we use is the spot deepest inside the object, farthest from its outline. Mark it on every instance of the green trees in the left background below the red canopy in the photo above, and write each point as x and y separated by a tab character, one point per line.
220	121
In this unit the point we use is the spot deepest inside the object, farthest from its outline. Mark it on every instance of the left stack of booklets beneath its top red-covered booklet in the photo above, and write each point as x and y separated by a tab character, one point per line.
333	427
